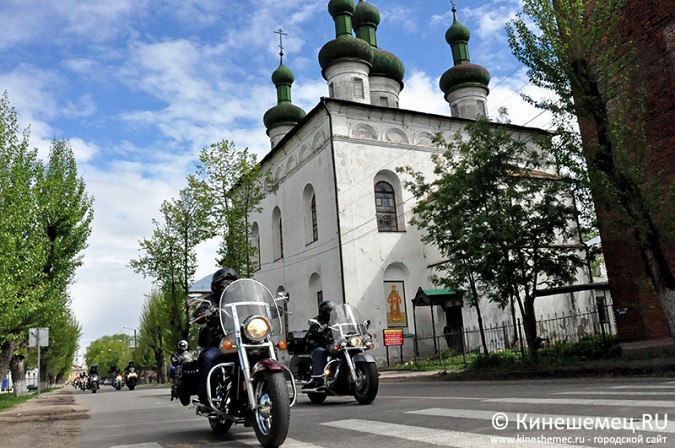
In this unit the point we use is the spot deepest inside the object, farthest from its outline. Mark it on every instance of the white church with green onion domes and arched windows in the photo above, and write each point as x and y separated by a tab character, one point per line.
336	226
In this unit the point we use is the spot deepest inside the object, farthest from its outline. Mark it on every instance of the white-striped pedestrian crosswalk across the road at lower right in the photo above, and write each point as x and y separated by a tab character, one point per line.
589	417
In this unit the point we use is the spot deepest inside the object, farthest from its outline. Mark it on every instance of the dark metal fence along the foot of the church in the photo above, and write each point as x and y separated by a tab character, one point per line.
570	327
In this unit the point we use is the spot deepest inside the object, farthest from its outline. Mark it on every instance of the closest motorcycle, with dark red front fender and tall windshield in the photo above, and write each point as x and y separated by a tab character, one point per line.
249	385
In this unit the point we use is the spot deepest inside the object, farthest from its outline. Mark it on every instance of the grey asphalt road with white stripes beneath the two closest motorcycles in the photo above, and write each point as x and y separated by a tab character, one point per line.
629	413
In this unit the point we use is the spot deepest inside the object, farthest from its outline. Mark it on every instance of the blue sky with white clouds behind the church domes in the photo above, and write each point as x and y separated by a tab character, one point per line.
139	87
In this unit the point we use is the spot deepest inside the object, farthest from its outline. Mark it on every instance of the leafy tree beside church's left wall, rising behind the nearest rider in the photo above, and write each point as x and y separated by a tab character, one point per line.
229	186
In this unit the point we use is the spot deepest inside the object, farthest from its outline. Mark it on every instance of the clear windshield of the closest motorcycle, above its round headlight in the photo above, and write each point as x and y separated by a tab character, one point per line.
245	298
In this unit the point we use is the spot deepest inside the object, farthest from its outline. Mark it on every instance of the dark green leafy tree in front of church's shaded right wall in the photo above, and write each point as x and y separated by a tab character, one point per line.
501	224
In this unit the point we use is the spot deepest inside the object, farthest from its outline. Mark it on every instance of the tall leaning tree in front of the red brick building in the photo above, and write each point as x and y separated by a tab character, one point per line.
573	47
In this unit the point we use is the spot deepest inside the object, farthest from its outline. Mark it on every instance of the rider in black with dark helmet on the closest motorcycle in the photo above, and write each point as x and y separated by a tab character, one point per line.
211	332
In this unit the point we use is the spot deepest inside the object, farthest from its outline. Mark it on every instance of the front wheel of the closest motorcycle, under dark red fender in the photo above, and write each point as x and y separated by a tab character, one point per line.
272	415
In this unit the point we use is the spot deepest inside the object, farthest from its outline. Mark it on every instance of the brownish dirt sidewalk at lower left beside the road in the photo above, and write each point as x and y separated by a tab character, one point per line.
51	420
